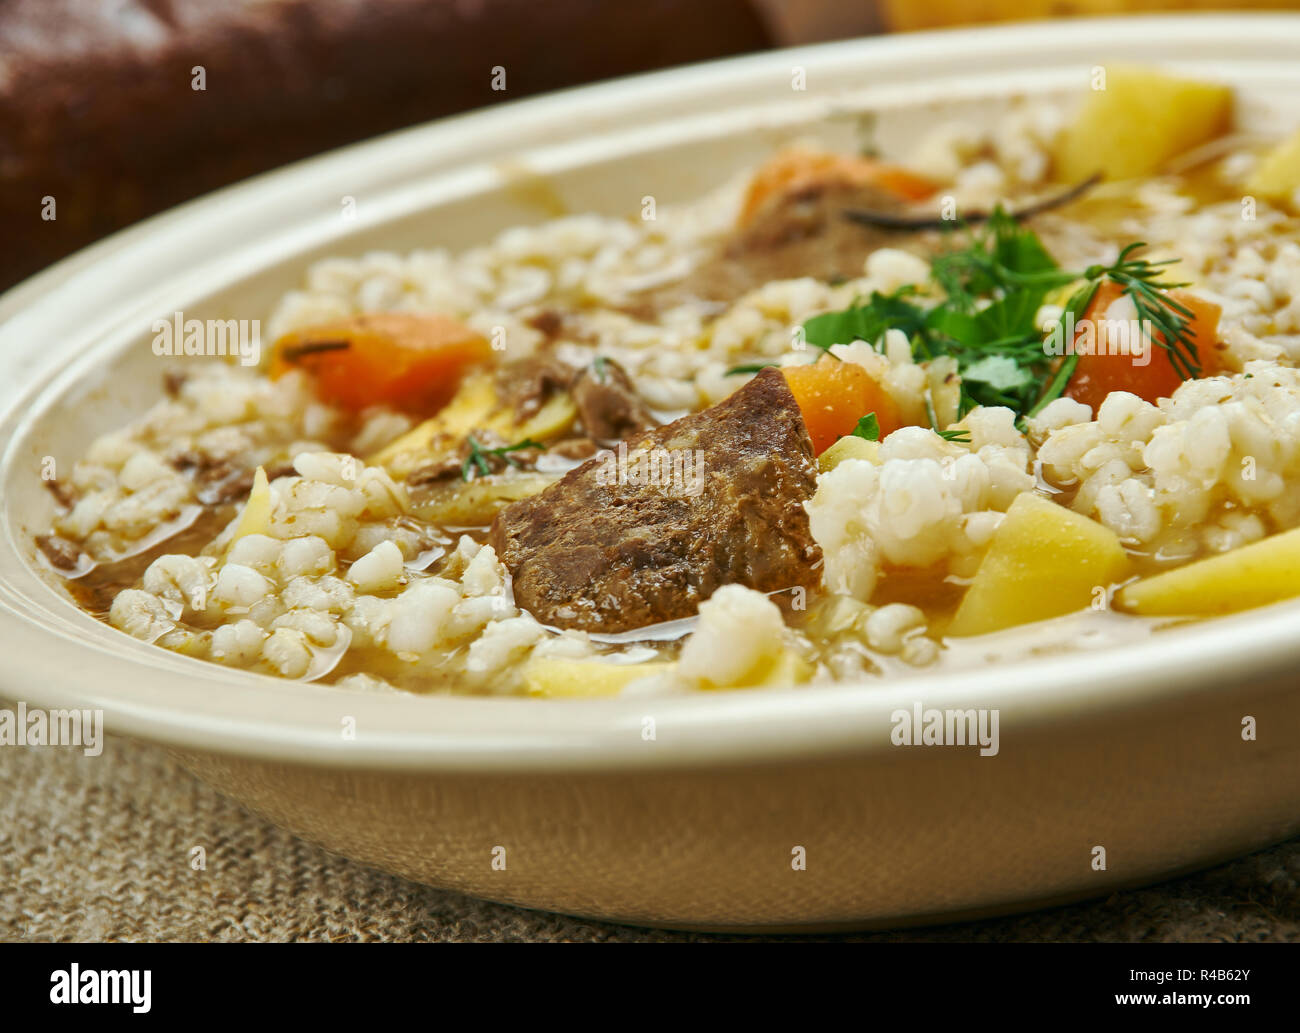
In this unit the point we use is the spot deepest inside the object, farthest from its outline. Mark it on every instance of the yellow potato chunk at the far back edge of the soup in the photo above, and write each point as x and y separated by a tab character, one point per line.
1141	120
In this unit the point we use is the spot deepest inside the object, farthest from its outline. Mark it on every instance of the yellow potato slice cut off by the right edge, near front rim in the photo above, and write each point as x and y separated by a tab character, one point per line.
1251	576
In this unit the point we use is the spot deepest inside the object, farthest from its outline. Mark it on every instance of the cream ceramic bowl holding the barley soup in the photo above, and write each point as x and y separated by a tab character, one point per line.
1137	749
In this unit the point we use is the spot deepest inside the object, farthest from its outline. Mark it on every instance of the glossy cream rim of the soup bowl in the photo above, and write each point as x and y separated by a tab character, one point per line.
59	657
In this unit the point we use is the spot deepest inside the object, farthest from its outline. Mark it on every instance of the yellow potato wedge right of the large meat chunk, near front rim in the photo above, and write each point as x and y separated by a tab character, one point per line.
1045	562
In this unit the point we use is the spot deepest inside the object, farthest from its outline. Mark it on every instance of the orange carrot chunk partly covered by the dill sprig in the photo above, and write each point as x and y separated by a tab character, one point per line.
1098	375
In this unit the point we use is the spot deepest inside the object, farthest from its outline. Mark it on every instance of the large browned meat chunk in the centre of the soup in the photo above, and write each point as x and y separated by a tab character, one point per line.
604	552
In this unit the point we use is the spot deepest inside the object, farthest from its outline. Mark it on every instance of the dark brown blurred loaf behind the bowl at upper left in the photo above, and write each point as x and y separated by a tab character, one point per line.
98	108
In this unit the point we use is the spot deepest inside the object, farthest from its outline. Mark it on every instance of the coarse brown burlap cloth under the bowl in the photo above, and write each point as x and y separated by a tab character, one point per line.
99	849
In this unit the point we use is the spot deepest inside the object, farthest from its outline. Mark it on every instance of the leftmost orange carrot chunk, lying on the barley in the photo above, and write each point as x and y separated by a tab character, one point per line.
408	361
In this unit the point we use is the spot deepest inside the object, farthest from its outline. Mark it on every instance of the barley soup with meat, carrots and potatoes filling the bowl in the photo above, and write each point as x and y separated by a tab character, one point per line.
847	418
